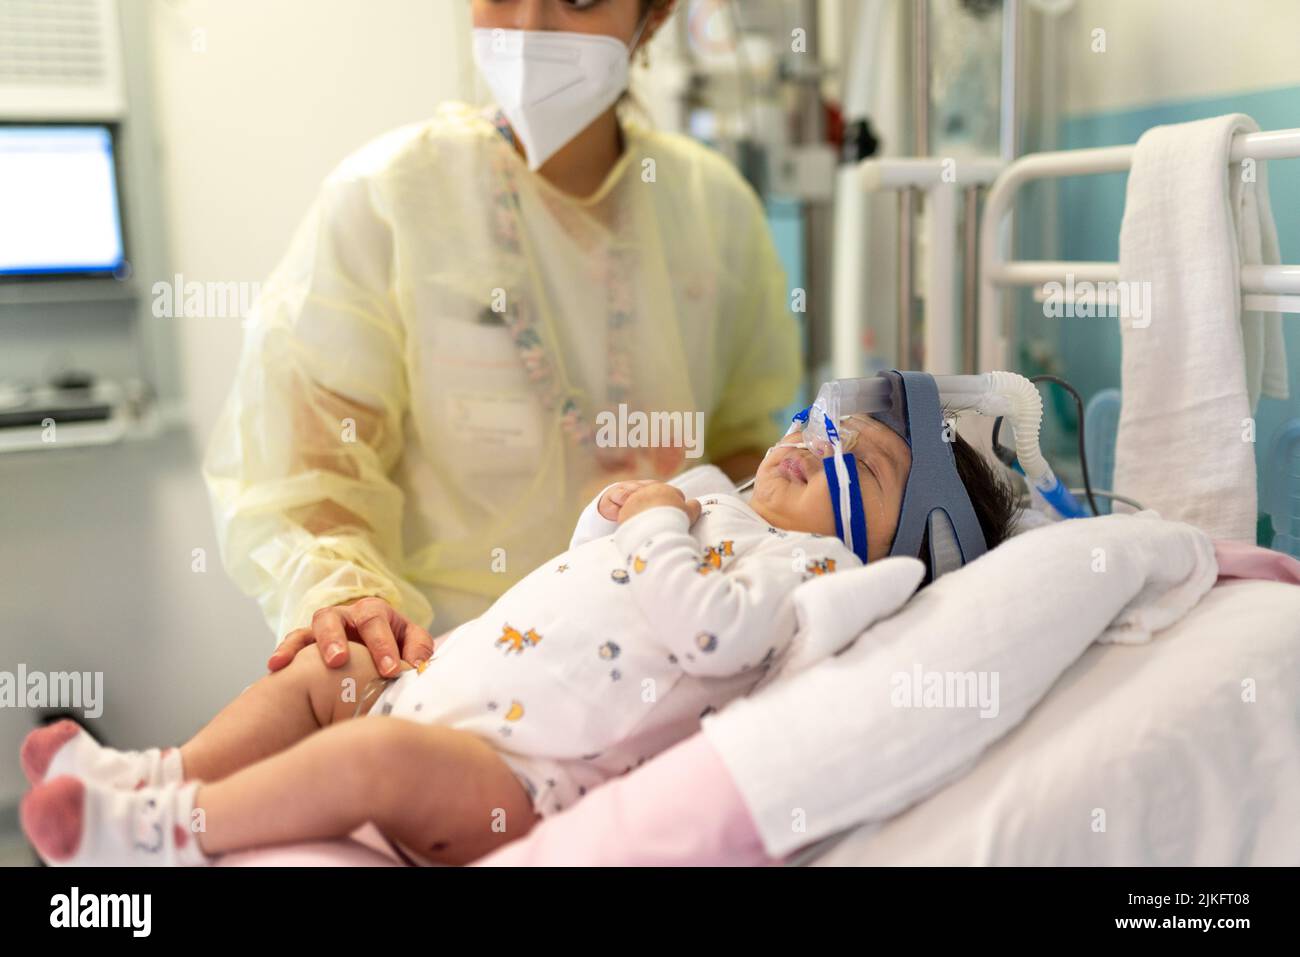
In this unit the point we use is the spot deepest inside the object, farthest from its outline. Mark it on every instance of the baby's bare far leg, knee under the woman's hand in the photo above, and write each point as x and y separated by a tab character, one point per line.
278	712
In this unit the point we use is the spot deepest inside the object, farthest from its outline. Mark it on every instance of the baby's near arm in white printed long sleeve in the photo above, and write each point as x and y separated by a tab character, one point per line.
716	622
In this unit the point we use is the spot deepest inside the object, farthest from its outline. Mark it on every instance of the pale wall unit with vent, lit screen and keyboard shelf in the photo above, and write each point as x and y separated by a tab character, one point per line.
83	361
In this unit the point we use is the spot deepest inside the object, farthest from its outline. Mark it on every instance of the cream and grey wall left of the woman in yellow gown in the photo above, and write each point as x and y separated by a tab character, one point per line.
255	103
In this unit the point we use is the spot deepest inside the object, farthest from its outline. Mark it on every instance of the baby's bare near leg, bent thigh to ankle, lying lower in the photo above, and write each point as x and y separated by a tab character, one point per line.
444	794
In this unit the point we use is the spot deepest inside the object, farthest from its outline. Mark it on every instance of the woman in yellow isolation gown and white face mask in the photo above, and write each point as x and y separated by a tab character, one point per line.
415	421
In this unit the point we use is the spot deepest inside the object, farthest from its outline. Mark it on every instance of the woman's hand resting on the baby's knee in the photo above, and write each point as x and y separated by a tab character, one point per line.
385	633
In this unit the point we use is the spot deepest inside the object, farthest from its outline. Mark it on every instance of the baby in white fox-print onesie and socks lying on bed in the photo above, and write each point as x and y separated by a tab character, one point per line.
664	609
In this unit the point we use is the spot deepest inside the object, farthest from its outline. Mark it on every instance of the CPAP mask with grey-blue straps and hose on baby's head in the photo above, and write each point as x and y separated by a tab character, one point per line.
935	501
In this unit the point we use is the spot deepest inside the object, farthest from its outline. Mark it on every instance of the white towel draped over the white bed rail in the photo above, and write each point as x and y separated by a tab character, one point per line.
1195	366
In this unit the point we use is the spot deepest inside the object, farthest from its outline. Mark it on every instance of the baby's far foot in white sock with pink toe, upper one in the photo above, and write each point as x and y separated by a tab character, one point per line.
66	748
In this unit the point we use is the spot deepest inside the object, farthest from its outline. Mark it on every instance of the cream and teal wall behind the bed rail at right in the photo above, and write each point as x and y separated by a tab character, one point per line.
1220	59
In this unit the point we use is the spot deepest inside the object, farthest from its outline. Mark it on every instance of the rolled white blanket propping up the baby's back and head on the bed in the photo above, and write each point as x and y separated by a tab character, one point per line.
912	705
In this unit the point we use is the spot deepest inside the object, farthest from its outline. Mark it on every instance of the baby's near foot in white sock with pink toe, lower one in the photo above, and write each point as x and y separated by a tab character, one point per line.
76	824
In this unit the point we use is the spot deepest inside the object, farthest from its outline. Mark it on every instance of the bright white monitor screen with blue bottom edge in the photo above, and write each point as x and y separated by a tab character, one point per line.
59	207
